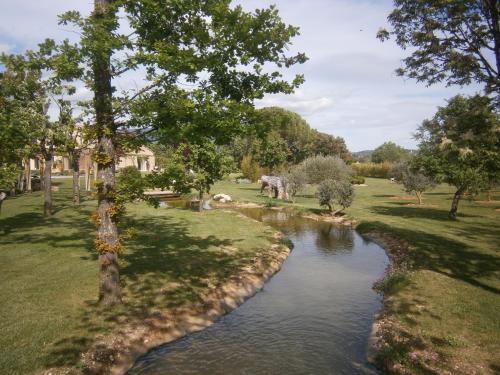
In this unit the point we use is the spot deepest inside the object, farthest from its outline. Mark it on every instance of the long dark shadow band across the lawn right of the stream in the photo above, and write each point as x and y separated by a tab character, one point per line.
448	257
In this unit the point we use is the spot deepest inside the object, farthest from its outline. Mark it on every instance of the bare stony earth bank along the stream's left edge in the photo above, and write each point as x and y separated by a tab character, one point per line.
117	352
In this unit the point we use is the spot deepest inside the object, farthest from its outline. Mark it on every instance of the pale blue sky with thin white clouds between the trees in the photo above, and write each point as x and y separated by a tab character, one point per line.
351	89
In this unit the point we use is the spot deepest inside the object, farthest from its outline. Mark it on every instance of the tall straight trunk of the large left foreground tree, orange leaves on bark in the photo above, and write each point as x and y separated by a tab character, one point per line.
107	242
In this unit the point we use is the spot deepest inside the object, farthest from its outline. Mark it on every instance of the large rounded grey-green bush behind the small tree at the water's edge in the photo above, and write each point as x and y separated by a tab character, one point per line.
321	168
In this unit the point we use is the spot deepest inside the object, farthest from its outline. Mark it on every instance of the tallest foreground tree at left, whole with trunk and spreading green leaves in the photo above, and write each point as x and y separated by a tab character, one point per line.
219	50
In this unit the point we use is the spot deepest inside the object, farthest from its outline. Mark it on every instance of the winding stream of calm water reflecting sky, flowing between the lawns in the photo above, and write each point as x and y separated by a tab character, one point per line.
313	317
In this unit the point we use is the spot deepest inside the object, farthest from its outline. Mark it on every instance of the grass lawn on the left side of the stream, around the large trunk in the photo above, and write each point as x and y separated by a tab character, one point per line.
48	311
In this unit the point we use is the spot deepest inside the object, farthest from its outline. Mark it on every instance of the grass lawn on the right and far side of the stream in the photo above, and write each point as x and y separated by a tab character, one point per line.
450	305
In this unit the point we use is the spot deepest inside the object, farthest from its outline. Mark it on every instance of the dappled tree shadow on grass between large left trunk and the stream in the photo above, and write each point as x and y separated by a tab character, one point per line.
165	268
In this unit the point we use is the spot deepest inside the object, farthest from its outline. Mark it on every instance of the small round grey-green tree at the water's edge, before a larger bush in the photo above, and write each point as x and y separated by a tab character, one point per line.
335	192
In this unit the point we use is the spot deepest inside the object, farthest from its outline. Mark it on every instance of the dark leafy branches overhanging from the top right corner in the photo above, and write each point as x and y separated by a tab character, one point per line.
455	41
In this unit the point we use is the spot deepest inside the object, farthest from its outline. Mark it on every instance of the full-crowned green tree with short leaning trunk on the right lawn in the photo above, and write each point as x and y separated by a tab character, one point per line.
460	145
